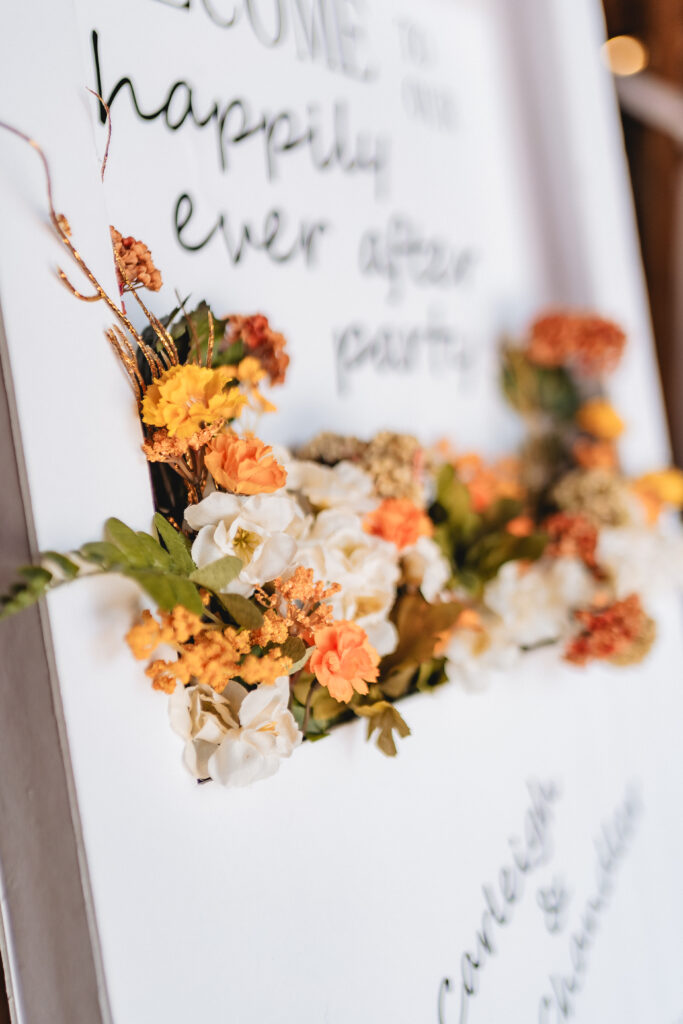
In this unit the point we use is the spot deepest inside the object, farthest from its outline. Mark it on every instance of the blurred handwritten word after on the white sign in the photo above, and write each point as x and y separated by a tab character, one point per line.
402	253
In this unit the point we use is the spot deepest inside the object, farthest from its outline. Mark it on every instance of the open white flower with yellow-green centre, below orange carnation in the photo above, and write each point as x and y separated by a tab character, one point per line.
262	530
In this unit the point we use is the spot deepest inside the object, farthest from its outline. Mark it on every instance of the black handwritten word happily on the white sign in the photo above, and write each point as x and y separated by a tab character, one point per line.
280	135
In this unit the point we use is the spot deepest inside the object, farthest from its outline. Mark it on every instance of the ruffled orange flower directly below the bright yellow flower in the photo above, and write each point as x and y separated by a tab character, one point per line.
244	465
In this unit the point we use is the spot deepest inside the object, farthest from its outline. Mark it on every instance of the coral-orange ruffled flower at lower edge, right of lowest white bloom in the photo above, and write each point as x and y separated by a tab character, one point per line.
345	660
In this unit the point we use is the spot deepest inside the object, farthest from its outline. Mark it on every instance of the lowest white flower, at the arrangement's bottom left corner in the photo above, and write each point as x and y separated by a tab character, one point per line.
238	737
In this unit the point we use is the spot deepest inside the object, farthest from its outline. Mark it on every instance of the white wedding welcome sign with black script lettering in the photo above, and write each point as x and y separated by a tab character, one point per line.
398	188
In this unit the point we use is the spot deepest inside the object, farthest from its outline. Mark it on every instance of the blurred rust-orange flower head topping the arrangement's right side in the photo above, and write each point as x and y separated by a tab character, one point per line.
592	345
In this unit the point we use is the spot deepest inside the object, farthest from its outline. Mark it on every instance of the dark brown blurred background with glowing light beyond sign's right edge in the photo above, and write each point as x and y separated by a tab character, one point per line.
646	53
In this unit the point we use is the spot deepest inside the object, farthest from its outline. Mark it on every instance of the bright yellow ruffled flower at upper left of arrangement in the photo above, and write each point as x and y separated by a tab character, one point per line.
185	400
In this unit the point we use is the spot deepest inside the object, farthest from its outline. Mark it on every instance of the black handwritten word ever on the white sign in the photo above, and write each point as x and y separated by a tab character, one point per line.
273	238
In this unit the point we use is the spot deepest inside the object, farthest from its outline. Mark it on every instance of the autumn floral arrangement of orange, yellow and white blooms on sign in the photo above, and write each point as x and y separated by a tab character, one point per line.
292	592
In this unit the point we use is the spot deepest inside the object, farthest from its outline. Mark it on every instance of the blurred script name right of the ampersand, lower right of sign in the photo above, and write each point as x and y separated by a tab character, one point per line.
612	845
